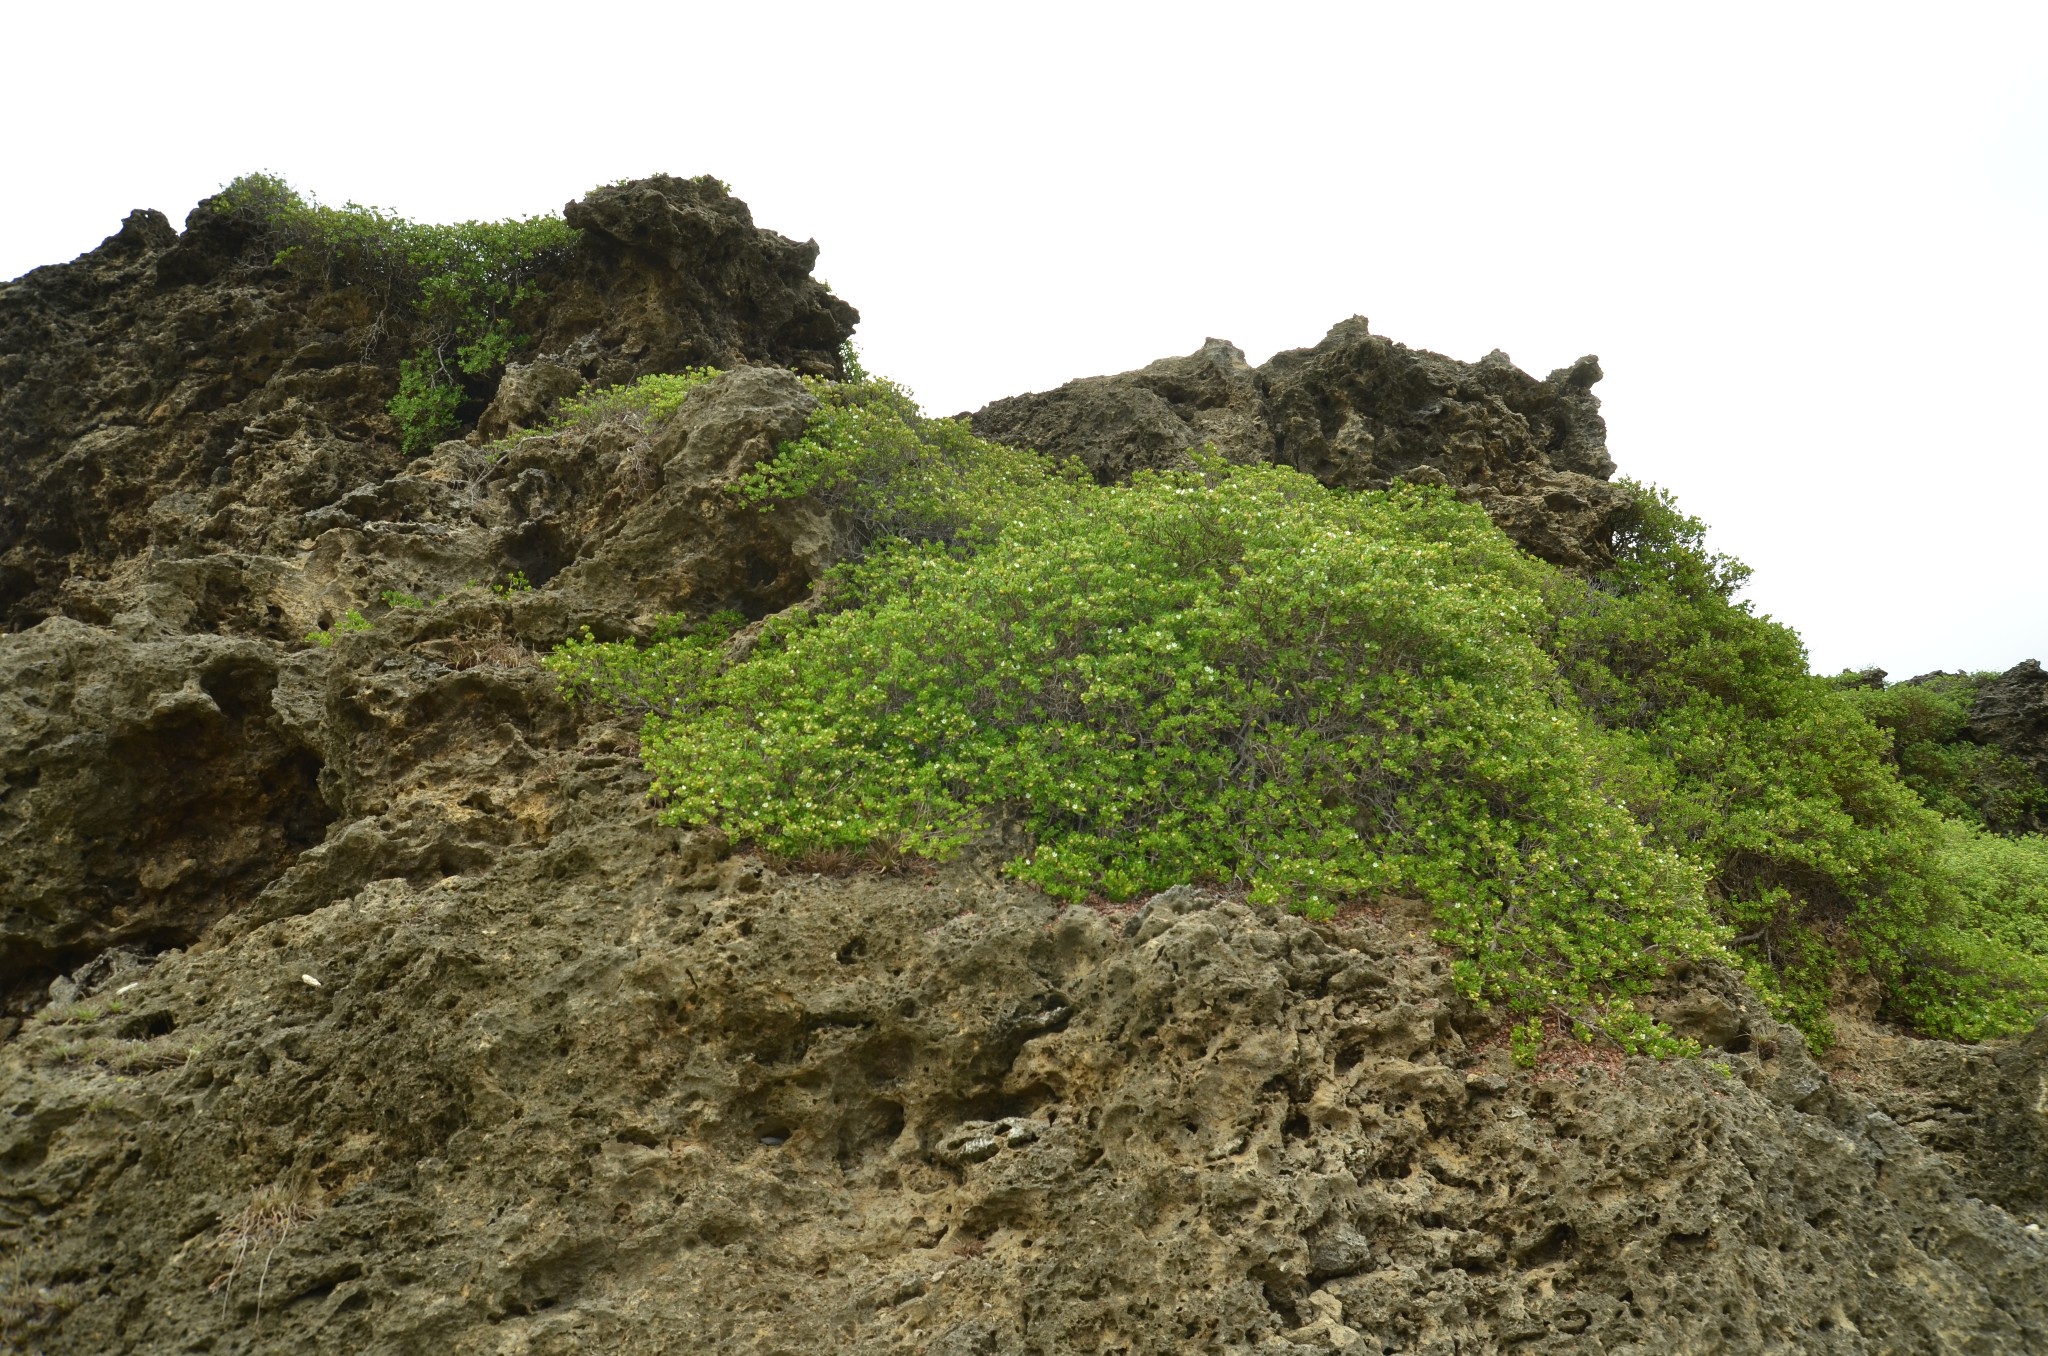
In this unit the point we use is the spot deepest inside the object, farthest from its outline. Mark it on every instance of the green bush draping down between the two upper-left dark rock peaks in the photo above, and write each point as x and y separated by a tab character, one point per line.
464	284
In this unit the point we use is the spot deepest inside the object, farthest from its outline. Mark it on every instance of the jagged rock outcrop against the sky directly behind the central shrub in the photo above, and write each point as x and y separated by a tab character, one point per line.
1359	413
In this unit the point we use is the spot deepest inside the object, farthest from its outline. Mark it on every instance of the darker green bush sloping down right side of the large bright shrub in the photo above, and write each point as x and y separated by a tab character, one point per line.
1766	777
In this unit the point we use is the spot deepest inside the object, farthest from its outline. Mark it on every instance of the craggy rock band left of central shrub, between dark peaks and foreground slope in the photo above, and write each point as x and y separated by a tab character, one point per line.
185	761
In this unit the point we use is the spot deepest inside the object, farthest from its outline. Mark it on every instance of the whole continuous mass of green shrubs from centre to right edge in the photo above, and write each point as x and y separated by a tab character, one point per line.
1234	675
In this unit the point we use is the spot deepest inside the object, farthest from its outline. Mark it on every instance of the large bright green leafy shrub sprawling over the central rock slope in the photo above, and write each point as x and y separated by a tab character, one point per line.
1230	677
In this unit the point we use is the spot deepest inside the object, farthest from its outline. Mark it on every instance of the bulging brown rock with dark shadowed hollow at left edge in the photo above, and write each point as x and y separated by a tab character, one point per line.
148	788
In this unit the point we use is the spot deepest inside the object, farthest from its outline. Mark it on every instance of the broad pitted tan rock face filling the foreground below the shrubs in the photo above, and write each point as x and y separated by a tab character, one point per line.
620	1091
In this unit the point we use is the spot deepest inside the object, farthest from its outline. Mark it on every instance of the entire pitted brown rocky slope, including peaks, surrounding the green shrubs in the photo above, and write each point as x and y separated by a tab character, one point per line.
357	1001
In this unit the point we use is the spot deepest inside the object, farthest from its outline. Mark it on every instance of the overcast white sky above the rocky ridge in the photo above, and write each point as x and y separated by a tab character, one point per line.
1807	243
